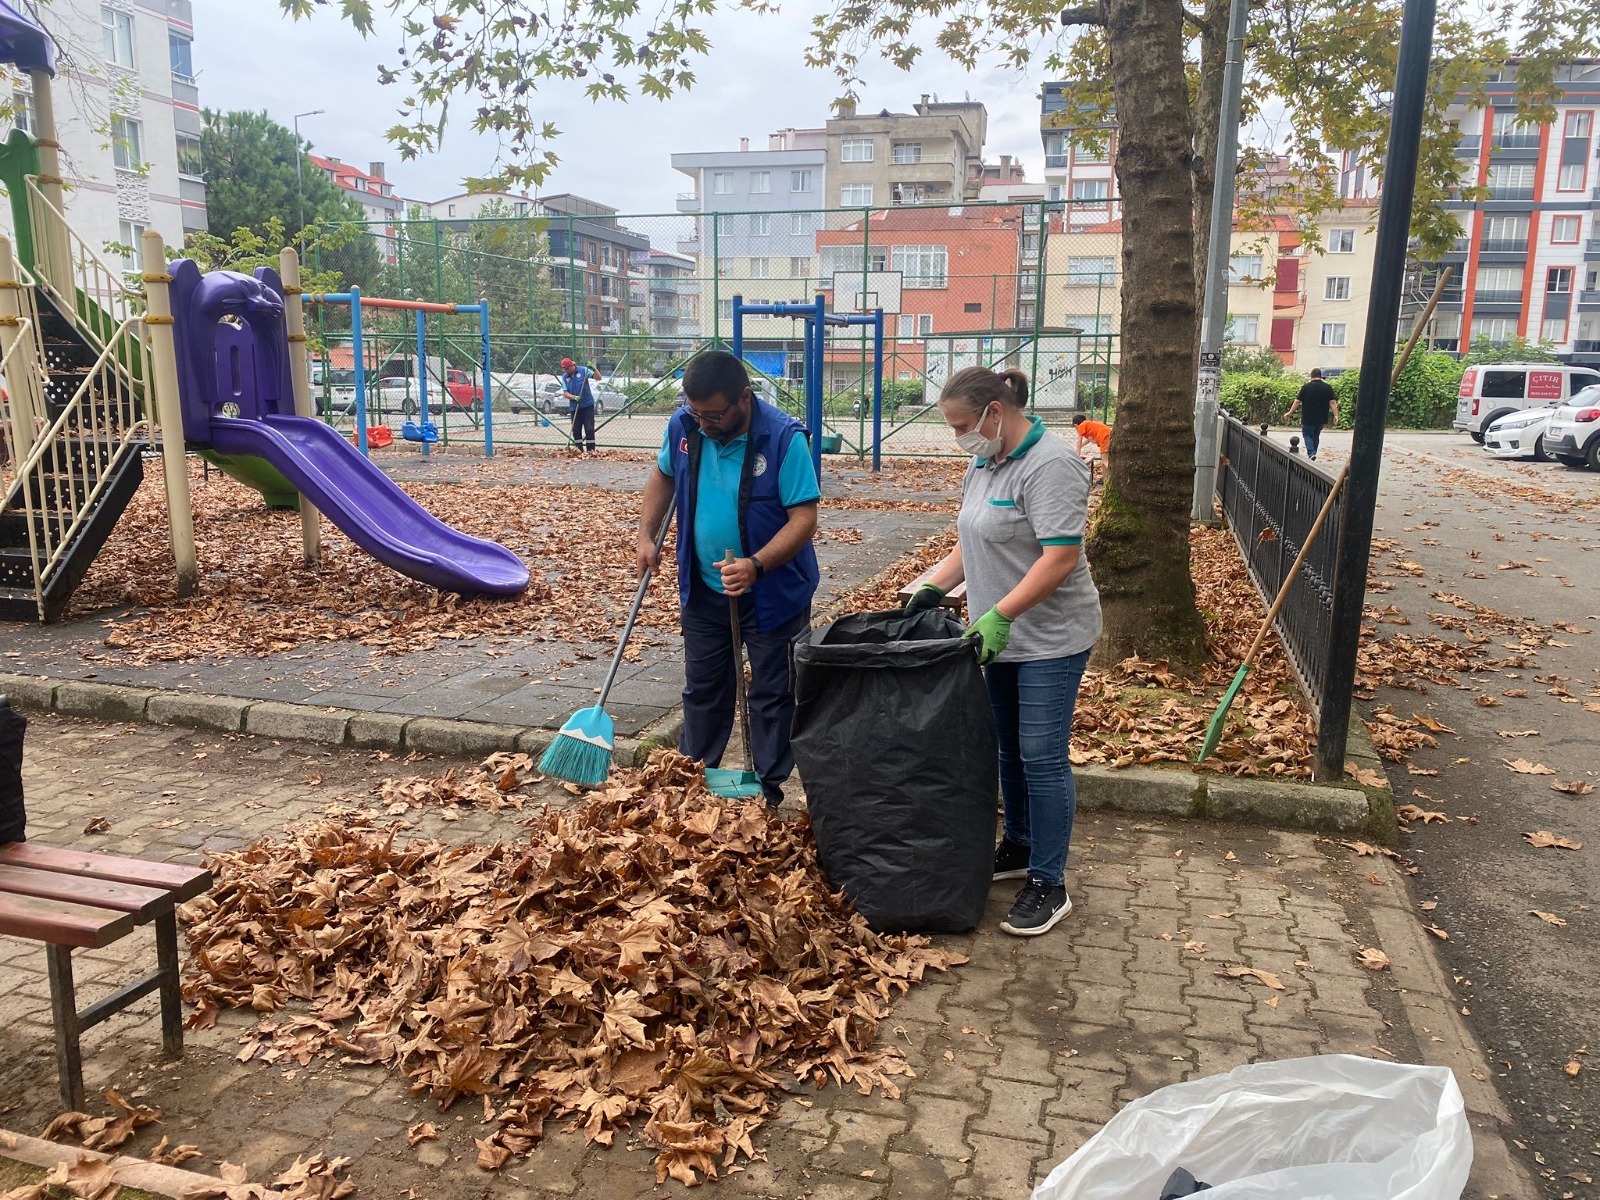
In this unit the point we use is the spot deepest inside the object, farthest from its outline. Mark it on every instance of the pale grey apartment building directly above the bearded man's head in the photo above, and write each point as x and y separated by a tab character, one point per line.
753	231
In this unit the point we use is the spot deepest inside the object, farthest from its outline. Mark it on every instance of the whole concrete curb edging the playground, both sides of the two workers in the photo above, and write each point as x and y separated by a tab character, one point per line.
1166	791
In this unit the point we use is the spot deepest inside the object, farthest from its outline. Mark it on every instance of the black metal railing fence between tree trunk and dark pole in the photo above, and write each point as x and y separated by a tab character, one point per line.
1271	500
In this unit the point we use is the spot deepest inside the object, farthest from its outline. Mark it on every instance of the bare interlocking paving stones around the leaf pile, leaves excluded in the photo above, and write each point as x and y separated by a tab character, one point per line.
1022	1055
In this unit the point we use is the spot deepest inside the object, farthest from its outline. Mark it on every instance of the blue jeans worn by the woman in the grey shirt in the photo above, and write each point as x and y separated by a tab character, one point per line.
1033	705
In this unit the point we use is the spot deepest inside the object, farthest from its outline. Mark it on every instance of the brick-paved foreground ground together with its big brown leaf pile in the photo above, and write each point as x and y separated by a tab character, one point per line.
324	1052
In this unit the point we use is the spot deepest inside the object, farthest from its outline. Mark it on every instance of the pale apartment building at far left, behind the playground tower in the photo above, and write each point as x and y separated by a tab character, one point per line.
127	118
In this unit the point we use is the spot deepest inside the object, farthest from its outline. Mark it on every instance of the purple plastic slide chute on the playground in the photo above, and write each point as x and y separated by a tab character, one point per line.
370	508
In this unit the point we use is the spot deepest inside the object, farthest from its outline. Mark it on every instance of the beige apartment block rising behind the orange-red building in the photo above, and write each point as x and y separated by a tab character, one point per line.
932	156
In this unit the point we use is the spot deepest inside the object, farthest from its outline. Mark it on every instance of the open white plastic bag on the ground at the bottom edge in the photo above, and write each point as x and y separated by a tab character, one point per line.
1335	1127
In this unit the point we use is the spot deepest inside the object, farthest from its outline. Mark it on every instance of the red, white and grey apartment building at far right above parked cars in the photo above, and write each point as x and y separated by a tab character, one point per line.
1529	262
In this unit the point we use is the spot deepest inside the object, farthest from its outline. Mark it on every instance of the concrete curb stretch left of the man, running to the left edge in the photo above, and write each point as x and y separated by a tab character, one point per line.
308	722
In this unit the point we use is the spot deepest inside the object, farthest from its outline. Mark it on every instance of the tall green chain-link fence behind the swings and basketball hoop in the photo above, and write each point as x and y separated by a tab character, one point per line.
636	297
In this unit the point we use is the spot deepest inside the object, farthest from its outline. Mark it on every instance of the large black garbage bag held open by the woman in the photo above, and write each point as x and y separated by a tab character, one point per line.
897	750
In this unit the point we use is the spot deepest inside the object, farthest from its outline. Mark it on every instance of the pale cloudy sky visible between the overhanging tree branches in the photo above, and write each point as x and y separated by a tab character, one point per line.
250	57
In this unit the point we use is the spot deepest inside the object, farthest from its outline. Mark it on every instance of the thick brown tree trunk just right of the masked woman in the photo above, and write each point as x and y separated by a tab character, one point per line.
1140	540
